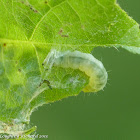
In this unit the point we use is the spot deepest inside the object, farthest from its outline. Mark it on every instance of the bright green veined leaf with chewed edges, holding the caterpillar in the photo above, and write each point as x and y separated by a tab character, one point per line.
29	29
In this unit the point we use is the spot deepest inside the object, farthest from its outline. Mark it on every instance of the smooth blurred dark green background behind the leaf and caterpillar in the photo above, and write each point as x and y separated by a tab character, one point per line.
112	114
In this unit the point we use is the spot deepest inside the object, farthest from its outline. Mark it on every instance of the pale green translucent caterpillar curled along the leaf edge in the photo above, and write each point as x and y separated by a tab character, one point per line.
85	62
